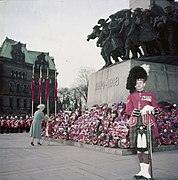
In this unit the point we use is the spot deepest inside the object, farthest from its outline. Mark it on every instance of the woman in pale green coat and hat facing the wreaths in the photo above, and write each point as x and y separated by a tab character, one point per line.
35	129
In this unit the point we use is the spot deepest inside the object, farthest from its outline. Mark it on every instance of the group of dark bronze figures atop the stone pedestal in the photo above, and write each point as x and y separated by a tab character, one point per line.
138	32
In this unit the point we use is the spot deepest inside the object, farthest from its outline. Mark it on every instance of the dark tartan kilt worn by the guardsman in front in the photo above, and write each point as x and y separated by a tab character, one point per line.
133	133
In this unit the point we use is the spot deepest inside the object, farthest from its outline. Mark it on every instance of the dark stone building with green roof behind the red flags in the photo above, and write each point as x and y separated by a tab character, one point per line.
16	68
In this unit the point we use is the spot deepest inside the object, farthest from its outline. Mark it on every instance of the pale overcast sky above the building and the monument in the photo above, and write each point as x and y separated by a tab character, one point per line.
59	27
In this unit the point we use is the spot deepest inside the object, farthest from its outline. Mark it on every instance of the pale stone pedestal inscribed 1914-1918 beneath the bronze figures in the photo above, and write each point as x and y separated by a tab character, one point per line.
108	85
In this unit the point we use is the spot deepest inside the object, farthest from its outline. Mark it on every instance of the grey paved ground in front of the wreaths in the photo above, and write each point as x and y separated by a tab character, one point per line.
20	161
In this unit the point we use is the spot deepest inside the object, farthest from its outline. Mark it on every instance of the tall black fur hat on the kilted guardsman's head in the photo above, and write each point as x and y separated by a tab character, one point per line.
137	72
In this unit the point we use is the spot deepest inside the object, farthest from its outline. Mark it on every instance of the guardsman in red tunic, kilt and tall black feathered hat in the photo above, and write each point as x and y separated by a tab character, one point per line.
141	106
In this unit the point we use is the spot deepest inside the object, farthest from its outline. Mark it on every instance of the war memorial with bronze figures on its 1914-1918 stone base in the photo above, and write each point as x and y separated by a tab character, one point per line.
131	37
